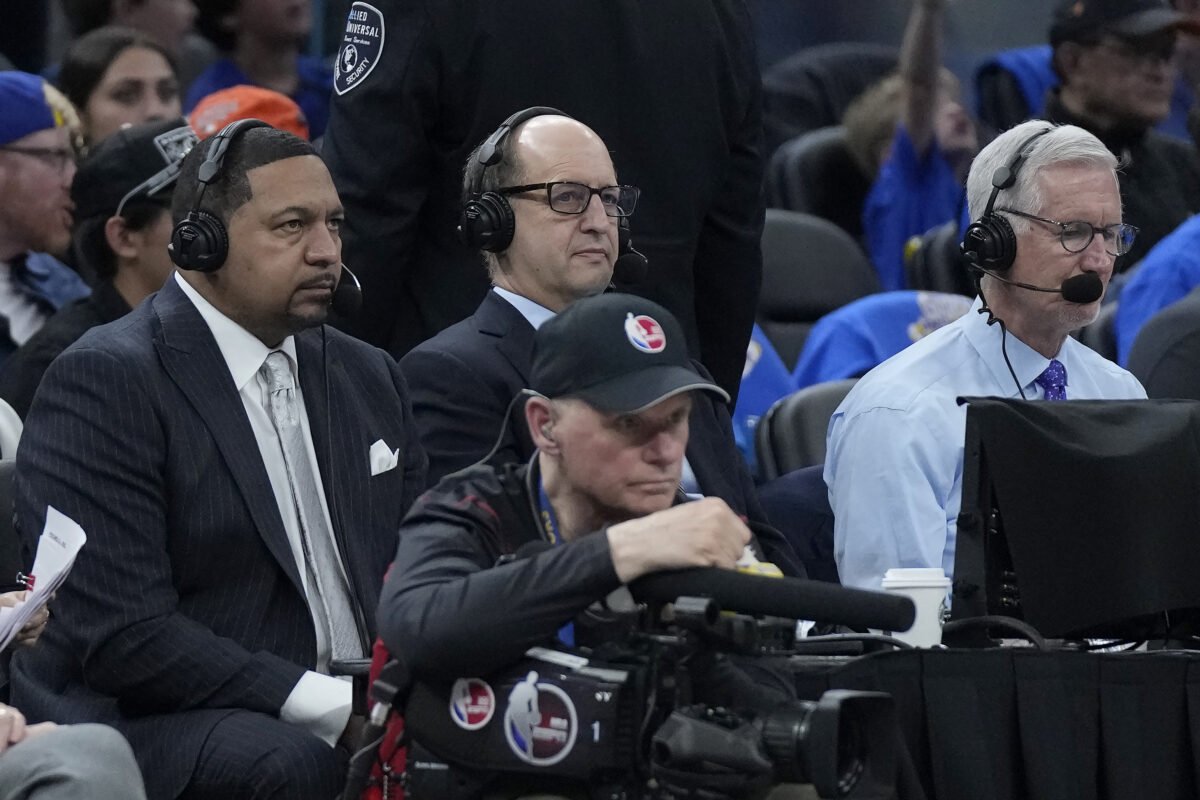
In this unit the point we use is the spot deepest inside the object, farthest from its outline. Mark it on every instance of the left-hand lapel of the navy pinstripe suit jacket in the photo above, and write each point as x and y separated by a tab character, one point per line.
194	362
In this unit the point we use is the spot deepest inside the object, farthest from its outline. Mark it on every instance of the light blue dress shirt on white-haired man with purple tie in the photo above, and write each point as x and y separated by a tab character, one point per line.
895	462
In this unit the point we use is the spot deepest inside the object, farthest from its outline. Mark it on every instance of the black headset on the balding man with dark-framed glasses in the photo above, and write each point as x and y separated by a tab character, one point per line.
487	221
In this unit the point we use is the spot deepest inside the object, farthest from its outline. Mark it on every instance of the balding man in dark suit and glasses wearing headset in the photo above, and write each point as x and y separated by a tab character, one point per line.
544	206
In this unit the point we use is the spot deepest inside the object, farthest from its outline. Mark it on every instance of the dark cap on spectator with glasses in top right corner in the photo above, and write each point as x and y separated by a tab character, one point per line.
1081	20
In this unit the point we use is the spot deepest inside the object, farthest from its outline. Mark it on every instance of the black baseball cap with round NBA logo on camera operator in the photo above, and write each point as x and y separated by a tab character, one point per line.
619	353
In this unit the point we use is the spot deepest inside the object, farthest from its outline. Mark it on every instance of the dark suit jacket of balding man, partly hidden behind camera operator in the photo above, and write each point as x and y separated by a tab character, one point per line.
464	381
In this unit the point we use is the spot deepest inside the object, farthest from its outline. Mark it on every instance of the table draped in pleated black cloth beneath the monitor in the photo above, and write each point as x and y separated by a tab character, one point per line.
1025	725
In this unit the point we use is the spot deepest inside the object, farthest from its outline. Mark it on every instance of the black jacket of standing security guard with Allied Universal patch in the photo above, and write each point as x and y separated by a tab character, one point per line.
679	104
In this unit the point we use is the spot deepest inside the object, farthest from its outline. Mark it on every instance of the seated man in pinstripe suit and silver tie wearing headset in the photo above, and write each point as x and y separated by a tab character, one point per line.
195	621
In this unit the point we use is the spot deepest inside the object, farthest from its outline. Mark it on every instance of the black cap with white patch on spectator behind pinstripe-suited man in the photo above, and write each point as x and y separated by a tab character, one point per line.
139	161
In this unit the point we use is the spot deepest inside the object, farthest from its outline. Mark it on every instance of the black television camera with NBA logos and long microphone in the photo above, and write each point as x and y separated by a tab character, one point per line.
623	720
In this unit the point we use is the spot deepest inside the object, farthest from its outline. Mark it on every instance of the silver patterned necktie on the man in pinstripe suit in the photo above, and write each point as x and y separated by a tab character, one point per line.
329	594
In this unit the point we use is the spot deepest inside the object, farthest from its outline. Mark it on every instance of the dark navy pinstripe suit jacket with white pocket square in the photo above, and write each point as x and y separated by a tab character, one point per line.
187	601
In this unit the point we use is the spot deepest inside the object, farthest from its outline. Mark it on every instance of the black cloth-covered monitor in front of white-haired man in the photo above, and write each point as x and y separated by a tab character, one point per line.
1082	519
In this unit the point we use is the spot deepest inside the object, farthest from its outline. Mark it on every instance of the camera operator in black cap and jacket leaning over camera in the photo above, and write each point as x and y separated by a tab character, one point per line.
609	416
